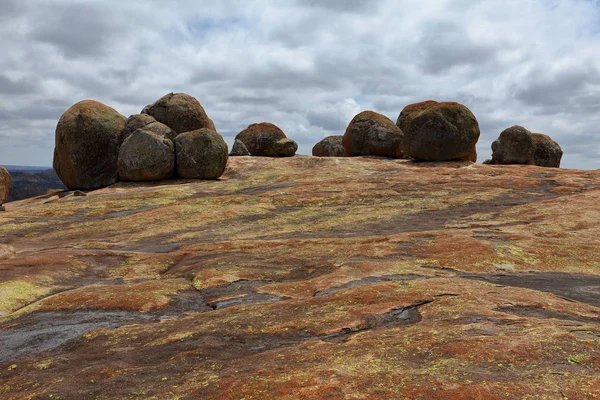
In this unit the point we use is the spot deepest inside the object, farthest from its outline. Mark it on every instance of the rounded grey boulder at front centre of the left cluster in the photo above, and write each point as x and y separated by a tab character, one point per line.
146	156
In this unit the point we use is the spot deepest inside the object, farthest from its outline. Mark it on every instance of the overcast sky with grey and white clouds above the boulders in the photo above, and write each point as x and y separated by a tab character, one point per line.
307	66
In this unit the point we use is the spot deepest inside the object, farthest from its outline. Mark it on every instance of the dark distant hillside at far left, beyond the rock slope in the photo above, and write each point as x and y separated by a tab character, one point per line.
31	182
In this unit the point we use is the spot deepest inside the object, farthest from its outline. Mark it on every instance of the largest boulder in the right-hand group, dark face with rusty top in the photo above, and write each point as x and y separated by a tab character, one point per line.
439	131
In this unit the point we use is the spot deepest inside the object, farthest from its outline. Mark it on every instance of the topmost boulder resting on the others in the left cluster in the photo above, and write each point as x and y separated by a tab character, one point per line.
180	112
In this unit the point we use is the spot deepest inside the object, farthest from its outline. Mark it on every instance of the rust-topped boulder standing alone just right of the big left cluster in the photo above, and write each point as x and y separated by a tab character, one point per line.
267	140
